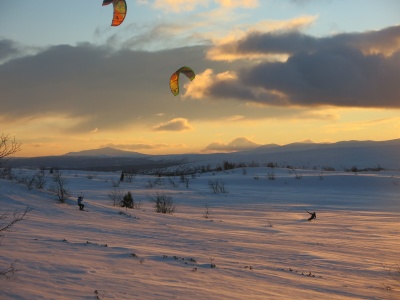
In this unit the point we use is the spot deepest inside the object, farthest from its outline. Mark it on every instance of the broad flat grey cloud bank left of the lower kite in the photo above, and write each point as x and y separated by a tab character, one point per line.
101	87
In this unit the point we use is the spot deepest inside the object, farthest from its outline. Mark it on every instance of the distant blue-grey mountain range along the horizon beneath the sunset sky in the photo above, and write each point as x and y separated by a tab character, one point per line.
340	155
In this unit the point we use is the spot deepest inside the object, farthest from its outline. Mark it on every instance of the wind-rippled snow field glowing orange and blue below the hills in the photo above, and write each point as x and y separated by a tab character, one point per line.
256	234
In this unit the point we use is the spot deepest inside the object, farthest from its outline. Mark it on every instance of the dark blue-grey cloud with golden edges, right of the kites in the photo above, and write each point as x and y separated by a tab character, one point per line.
361	70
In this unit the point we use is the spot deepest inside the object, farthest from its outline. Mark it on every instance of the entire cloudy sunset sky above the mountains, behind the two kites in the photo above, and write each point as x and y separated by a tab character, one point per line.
273	71
